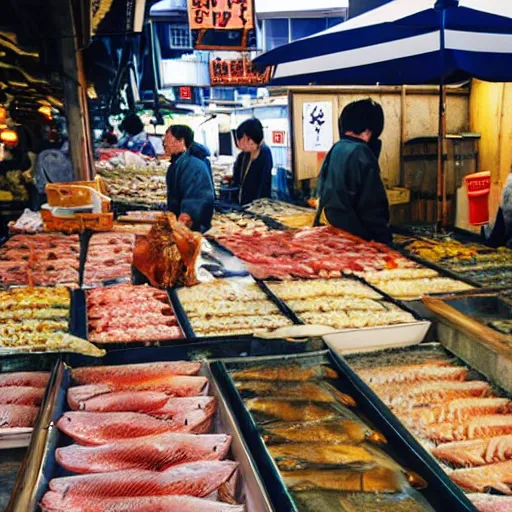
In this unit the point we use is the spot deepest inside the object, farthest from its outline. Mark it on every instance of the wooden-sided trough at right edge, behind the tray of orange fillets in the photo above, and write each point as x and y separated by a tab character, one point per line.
462	329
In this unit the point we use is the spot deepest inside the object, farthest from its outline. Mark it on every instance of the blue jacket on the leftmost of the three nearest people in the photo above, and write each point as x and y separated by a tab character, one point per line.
190	187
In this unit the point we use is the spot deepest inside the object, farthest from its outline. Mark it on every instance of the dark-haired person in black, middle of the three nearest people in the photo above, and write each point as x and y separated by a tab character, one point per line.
252	172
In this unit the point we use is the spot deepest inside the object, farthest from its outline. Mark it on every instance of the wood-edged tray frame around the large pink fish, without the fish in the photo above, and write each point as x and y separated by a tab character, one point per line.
40	465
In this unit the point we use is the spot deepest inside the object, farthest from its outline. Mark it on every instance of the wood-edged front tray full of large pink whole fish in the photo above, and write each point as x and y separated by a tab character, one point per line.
152	434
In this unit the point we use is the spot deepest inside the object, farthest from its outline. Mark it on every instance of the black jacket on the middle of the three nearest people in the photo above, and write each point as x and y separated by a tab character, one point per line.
255	182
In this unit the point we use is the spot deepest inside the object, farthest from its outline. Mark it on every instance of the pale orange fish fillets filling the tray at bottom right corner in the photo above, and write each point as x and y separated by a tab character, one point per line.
462	419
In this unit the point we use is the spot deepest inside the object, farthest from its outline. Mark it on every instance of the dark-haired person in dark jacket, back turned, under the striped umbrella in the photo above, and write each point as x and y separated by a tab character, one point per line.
351	192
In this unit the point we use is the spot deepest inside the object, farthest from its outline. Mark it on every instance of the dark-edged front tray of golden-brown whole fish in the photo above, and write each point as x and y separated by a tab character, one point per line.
320	444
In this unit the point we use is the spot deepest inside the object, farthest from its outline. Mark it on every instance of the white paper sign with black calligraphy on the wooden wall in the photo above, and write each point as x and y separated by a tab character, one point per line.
317	126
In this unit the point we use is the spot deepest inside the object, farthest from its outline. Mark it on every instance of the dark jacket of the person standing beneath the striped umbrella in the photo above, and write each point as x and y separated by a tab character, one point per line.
351	191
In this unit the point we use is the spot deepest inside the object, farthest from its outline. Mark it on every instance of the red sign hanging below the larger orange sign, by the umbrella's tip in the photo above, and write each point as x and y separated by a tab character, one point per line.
237	72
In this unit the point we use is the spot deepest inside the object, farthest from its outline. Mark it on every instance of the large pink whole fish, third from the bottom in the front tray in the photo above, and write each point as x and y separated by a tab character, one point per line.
156	453
